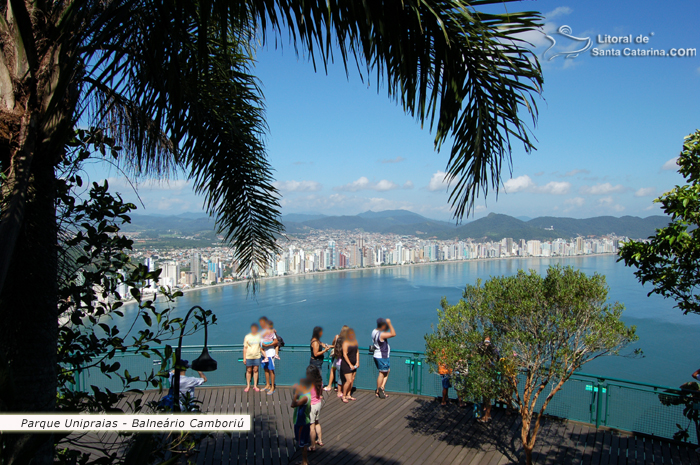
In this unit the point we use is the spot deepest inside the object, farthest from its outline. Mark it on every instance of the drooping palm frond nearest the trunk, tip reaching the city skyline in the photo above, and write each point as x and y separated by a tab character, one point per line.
176	97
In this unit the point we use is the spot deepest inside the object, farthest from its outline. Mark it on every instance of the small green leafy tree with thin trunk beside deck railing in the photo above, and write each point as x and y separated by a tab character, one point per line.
545	327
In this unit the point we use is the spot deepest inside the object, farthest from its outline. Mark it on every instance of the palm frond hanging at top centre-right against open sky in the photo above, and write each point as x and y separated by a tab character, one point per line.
465	72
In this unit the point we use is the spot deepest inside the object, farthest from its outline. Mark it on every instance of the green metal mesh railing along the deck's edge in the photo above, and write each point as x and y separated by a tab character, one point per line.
601	401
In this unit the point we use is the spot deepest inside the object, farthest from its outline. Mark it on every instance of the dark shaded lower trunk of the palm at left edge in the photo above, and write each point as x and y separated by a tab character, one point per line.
28	307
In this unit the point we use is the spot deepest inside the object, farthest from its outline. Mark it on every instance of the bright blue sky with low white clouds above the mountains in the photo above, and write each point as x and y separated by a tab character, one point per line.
608	131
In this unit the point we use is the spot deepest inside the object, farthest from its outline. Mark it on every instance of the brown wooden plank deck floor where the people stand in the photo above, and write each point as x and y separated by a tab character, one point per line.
413	430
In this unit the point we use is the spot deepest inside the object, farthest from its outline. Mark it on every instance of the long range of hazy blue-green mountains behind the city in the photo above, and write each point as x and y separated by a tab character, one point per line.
403	222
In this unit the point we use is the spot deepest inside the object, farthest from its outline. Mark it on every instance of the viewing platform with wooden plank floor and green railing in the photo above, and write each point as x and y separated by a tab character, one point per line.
594	419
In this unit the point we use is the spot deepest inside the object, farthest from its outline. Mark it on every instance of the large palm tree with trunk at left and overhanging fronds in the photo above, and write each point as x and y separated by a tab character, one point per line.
172	82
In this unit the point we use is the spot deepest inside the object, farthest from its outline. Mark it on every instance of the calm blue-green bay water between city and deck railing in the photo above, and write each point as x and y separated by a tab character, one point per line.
410	296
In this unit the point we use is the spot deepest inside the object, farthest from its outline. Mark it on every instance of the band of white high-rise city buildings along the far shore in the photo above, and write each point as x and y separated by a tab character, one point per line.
330	250
